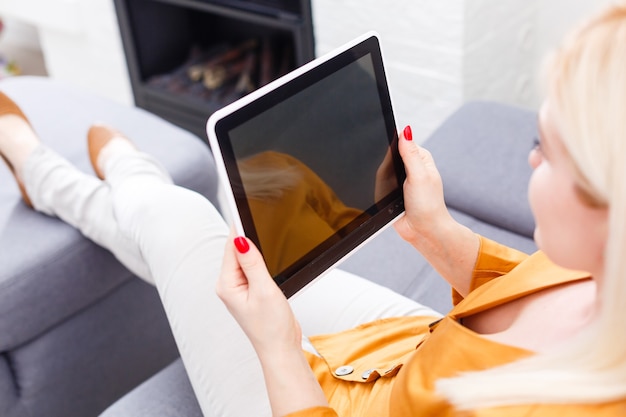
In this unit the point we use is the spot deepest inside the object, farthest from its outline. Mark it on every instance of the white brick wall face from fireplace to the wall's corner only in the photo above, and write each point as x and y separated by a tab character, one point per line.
421	42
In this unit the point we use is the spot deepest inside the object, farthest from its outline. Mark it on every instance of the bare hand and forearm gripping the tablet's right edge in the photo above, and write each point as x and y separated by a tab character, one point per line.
450	247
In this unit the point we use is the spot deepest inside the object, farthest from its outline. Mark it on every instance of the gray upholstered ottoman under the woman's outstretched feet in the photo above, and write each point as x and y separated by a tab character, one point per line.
78	330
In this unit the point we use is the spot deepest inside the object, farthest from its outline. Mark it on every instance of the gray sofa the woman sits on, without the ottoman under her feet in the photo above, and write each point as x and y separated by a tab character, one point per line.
481	152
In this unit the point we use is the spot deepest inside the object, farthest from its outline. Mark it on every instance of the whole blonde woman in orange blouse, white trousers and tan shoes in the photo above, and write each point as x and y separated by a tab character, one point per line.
539	335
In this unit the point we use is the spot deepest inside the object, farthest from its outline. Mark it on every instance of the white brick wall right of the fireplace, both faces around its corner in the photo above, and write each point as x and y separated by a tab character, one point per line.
440	53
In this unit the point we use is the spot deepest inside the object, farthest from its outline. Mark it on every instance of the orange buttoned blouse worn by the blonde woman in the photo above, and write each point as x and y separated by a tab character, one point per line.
389	367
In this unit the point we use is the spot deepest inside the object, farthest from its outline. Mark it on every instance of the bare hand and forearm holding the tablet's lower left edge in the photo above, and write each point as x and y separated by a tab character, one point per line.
264	314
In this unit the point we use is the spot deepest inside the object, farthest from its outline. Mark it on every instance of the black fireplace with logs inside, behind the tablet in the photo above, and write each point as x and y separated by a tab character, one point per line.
188	58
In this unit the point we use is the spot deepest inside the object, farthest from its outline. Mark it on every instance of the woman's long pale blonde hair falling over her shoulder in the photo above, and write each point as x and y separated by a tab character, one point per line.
587	88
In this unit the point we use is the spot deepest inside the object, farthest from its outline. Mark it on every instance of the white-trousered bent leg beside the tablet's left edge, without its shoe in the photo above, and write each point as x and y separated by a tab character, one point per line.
181	236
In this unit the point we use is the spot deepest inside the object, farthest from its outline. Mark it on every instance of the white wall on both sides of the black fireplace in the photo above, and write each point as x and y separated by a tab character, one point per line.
438	53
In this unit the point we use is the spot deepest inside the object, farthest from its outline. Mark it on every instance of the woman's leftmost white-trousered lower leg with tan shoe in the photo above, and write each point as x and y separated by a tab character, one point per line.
55	187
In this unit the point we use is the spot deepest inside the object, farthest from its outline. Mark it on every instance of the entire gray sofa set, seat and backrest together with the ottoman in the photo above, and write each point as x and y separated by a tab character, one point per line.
81	336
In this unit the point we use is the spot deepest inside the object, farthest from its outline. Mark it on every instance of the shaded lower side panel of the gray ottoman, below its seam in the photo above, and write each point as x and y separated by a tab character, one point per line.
86	362
